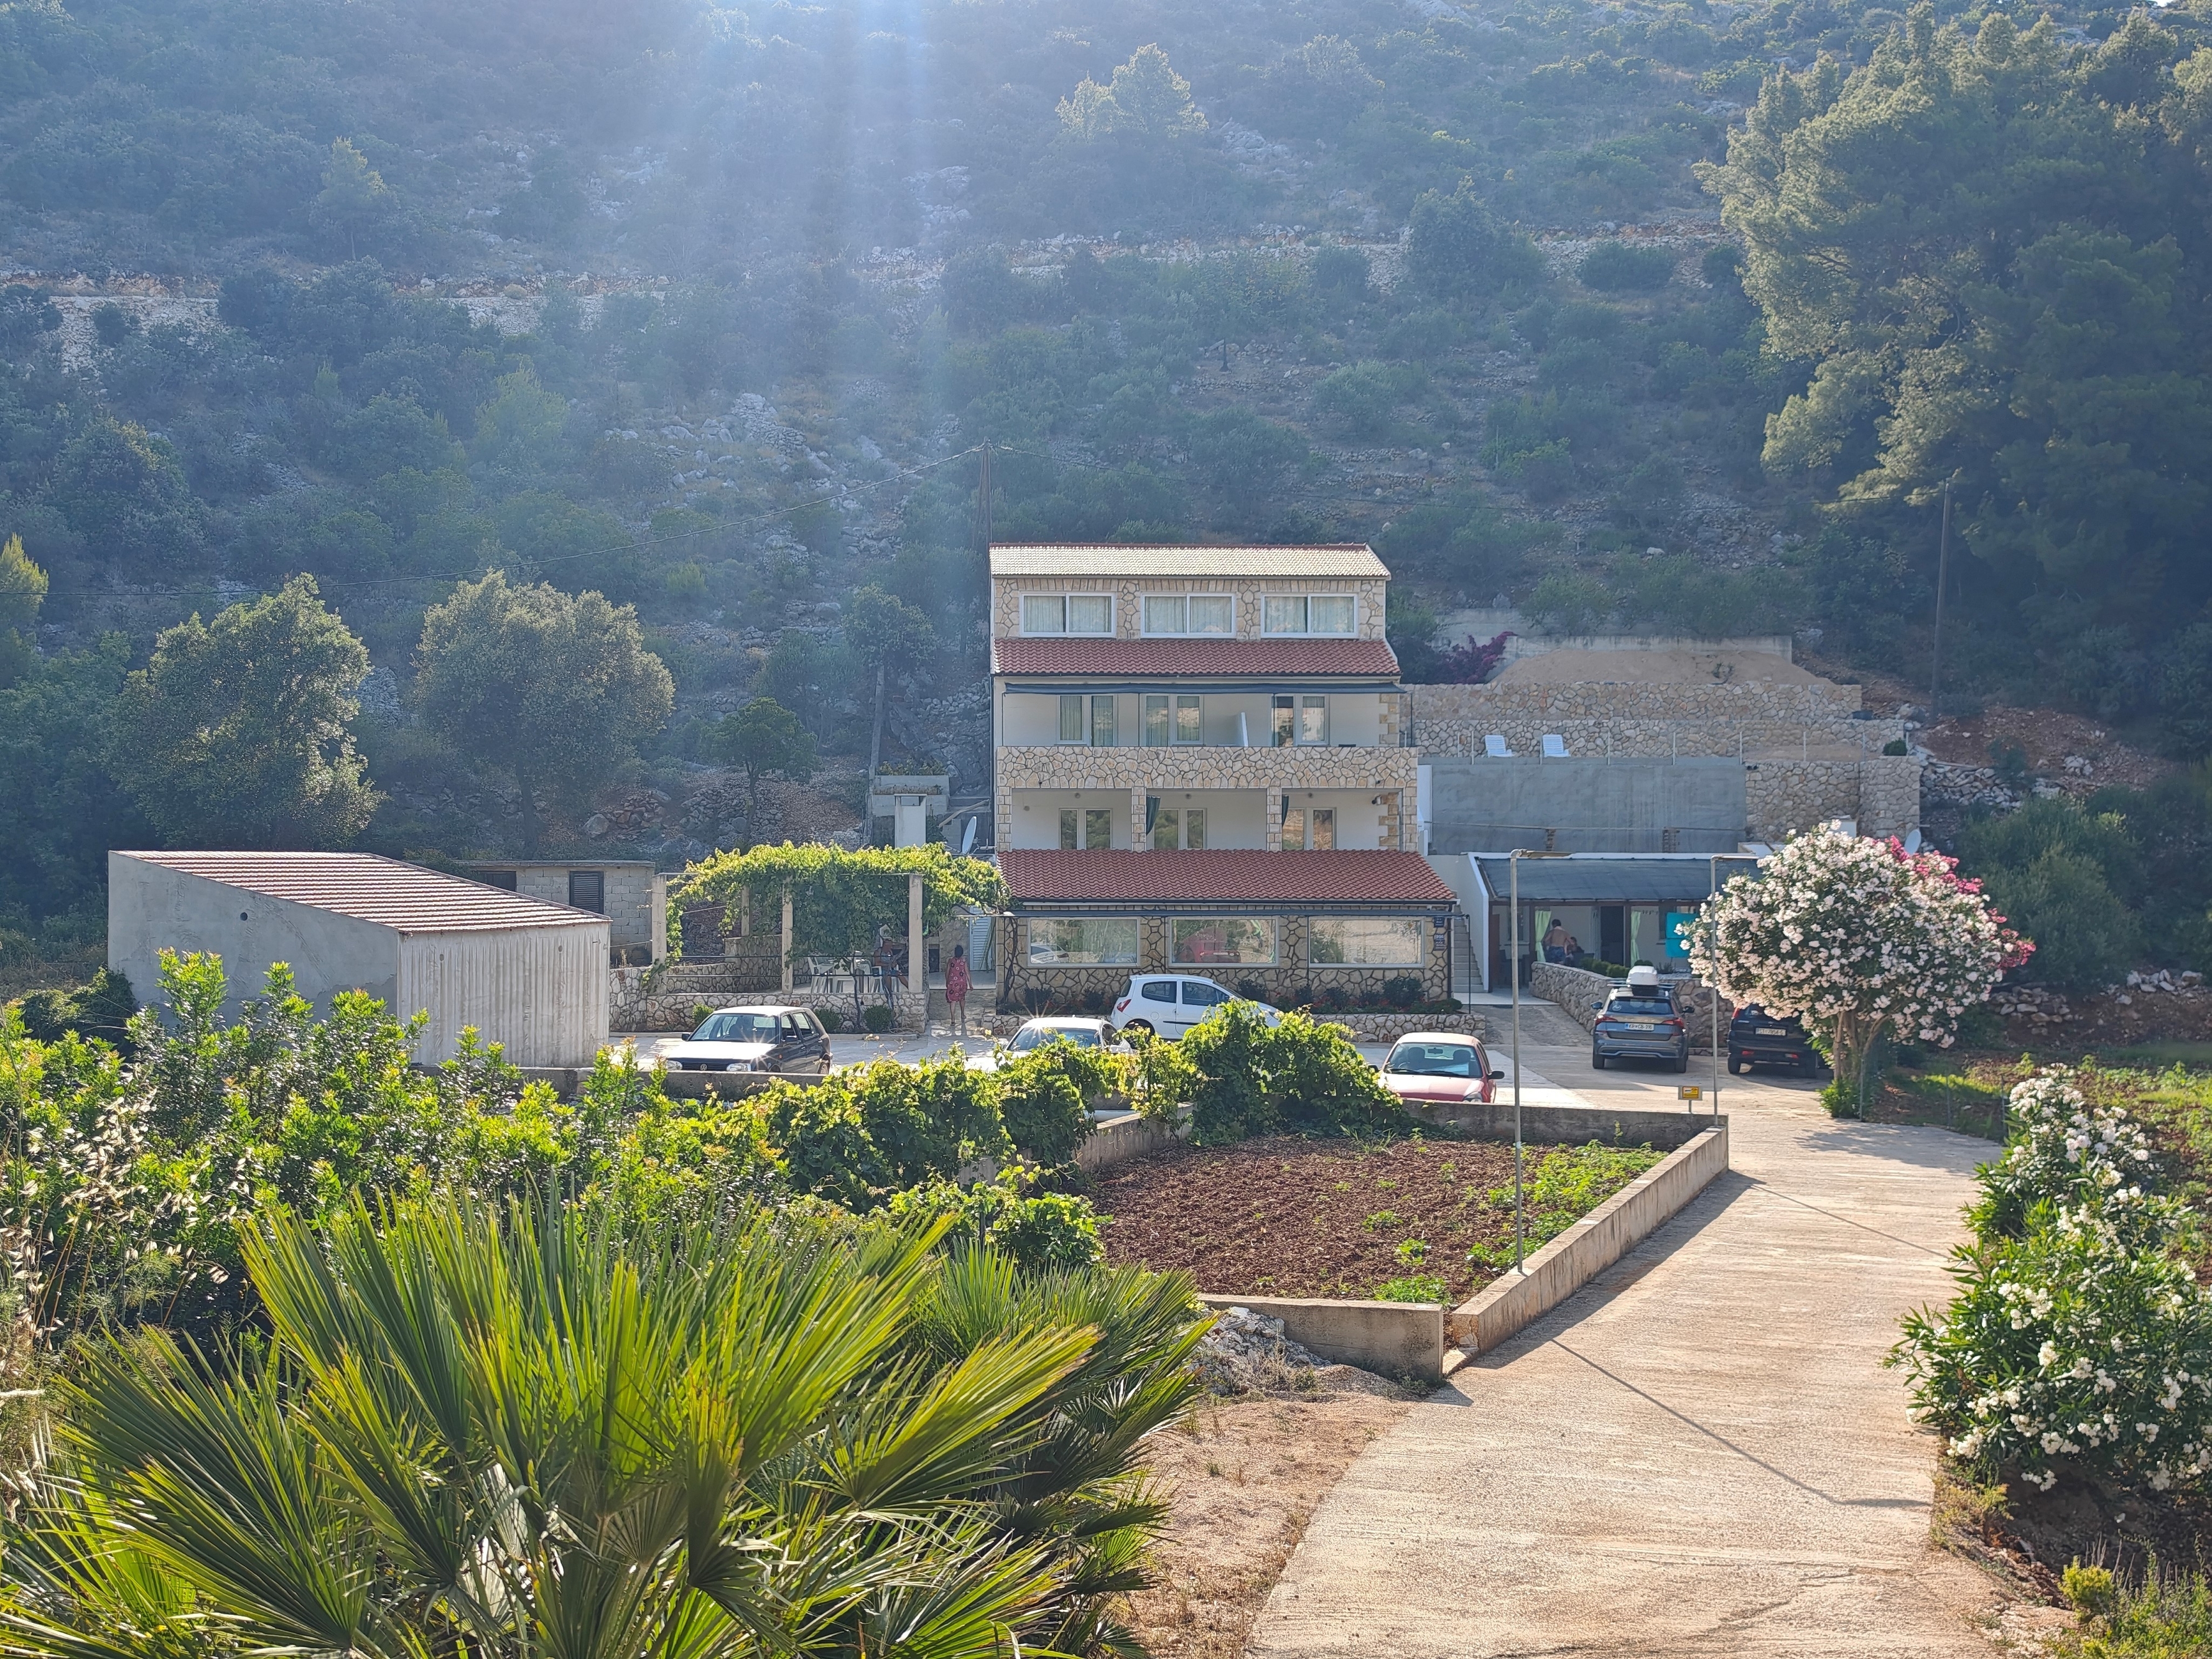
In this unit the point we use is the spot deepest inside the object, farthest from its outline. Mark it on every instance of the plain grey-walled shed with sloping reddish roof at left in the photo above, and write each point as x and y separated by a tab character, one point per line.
525	972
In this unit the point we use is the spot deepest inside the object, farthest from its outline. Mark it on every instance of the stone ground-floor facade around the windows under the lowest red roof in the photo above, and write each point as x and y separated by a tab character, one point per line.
1291	983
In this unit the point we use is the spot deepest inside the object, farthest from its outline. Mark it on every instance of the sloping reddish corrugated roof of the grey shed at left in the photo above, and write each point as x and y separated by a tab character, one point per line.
377	890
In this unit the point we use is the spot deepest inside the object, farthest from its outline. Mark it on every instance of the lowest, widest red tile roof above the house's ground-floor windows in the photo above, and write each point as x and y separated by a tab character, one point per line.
1222	877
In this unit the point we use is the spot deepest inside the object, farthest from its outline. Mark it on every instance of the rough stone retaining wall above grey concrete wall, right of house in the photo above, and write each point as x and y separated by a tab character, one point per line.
1642	720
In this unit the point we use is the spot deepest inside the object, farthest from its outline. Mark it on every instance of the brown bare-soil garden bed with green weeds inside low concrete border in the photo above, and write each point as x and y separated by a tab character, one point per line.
1295	1218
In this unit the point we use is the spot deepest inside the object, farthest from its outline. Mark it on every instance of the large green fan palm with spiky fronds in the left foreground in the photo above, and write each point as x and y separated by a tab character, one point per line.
479	1432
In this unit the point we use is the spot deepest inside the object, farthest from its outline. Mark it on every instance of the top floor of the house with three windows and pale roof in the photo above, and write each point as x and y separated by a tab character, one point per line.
1114	592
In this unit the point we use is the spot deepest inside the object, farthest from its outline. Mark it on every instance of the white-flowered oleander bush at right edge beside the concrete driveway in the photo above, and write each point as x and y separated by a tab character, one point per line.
2080	1339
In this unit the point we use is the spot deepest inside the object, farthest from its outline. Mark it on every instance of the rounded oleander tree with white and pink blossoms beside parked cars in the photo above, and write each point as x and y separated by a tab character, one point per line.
1857	937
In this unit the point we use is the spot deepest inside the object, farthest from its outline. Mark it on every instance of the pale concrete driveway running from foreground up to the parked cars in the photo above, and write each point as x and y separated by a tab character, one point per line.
1702	1452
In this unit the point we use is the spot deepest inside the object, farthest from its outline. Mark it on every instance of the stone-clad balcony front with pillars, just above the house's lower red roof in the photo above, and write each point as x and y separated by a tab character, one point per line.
1158	771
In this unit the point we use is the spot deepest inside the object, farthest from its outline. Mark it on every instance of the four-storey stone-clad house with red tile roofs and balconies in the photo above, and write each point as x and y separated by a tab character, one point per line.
1200	766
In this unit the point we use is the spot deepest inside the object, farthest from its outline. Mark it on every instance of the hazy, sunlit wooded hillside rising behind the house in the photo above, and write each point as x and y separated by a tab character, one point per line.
713	313
